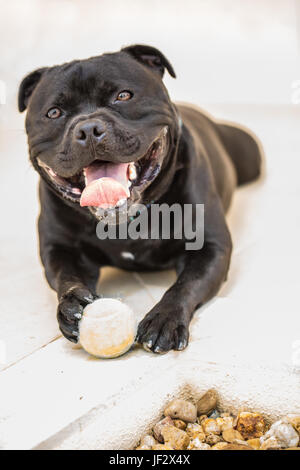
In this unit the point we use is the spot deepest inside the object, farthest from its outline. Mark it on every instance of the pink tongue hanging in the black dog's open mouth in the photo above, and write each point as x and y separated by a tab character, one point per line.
106	184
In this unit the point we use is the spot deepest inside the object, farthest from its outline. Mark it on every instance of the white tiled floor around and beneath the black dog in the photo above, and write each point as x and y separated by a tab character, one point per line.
240	343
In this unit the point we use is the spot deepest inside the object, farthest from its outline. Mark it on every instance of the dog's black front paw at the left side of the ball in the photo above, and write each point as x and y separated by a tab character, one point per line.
70	308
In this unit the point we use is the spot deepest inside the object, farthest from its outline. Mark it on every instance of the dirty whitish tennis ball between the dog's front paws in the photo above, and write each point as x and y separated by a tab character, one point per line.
107	328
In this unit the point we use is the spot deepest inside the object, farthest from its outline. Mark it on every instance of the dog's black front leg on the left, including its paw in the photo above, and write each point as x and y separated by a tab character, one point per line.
70	269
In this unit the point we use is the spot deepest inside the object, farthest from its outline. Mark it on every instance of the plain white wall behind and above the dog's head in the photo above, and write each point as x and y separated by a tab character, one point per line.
224	51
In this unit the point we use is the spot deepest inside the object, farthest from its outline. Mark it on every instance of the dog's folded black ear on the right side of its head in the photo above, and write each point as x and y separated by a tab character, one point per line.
151	57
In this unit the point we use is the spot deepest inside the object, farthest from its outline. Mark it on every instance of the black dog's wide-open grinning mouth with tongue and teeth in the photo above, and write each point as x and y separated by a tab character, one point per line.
108	185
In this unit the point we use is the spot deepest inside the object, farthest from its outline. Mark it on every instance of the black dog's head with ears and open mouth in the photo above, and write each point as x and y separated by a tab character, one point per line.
102	130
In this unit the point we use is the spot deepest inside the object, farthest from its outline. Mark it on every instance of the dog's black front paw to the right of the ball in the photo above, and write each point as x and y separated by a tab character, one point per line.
162	330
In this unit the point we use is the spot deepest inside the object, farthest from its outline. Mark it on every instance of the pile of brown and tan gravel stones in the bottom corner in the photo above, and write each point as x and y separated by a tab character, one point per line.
203	427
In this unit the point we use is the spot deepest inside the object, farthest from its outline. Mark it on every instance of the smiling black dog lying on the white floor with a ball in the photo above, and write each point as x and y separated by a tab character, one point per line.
111	116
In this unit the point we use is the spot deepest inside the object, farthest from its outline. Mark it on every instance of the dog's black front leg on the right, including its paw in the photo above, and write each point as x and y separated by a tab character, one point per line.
166	326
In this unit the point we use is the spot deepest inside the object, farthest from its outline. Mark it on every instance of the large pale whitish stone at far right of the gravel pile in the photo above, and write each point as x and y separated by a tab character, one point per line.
283	433
